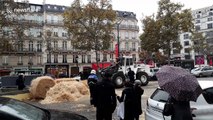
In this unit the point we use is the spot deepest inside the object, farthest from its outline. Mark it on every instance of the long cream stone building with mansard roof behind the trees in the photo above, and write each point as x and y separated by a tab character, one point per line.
48	46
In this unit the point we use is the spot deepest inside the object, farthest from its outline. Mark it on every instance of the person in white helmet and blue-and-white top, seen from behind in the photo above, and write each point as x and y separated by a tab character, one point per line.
91	81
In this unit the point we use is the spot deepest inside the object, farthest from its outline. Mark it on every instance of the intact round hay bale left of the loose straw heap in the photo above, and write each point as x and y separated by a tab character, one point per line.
40	86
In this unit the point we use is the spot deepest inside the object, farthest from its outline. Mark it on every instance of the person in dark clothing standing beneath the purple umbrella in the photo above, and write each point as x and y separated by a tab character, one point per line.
182	110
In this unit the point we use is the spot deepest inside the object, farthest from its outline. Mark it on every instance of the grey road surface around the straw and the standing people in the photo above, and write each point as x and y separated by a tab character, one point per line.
84	108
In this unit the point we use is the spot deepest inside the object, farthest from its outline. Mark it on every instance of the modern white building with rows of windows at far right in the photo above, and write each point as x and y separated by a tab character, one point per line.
203	22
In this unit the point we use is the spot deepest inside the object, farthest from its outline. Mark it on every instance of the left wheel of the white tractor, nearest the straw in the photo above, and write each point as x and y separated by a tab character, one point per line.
118	79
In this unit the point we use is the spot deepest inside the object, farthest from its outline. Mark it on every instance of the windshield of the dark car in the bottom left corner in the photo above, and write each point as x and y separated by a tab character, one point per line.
21	110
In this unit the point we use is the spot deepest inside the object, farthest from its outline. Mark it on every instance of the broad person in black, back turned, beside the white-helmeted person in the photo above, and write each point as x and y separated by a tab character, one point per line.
105	98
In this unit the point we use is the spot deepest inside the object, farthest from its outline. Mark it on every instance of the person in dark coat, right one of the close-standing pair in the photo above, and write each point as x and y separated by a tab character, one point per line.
138	93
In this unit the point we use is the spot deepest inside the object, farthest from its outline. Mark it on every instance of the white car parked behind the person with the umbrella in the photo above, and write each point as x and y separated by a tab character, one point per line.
202	109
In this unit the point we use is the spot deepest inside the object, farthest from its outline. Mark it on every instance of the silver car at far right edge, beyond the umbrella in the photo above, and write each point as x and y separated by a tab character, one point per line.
202	71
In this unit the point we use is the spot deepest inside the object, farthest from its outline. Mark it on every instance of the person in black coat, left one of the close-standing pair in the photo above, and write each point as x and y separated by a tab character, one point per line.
128	96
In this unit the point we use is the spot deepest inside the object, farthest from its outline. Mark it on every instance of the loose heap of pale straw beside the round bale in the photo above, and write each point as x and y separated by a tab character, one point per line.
65	91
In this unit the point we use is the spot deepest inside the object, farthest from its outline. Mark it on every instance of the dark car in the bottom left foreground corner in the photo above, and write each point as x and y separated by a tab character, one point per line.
11	109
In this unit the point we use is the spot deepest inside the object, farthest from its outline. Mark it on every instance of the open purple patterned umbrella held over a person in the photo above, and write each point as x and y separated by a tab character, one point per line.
179	83
